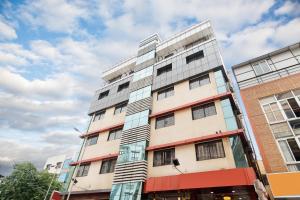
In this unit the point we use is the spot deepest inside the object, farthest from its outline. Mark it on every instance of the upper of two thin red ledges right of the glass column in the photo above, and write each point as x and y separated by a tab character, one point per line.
202	101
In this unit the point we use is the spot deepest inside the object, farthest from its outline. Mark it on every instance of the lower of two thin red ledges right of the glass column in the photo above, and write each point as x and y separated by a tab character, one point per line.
197	139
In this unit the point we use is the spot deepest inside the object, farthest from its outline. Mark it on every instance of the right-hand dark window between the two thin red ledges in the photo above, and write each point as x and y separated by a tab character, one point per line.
202	111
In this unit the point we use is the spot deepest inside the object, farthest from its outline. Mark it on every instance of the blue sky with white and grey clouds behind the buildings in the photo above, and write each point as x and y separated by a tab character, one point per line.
52	53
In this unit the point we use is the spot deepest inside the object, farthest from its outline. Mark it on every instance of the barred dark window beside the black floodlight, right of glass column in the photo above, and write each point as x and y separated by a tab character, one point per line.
163	157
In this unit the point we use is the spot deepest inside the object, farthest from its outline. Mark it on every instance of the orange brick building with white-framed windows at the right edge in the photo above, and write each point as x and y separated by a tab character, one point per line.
270	89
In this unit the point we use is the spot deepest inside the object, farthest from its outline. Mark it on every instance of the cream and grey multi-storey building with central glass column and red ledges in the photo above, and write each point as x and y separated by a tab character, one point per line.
165	126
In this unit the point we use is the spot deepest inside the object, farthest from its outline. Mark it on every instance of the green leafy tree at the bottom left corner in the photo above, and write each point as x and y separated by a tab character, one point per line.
27	183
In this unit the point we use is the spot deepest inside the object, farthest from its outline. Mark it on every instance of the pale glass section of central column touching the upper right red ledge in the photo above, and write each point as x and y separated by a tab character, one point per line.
137	119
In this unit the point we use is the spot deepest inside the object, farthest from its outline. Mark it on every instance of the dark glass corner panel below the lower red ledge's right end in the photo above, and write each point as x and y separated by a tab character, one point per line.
238	152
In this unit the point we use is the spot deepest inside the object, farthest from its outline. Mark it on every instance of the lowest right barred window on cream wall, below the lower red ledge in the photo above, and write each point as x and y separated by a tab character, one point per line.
210	150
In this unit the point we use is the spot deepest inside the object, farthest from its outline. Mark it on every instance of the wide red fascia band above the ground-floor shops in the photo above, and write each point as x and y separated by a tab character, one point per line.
209	179
